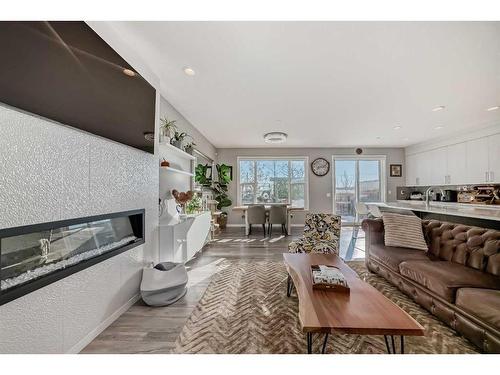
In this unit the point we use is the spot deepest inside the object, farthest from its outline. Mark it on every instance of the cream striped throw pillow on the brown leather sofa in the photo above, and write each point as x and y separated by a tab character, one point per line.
403	231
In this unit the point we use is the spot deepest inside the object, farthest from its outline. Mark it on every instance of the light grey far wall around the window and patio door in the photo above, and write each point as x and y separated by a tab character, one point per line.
318	186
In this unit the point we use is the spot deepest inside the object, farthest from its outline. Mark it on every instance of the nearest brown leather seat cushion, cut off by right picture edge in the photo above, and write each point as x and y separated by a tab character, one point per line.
483	303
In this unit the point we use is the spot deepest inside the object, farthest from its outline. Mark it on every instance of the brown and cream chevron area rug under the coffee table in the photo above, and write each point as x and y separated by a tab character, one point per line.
245	310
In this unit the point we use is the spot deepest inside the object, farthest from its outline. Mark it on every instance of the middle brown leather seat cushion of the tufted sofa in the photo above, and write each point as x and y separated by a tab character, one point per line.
444	278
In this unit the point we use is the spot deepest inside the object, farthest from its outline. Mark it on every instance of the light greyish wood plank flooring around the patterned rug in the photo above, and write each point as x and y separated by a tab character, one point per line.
144	329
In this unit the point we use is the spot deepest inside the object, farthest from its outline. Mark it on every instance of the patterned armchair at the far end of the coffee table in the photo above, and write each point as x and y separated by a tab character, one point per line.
321	235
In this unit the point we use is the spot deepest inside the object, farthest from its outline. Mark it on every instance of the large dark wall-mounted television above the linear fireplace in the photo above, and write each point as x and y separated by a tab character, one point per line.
64	71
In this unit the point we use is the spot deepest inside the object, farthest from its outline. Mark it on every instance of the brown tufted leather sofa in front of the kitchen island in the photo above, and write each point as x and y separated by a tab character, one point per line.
457	280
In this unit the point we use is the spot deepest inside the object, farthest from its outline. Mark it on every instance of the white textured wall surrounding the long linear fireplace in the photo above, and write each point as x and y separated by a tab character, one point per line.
52	172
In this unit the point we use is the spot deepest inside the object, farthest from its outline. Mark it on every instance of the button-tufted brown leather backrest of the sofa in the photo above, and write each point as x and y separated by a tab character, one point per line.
474	247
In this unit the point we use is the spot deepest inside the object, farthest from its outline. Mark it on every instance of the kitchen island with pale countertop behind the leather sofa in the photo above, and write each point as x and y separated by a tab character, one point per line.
476	215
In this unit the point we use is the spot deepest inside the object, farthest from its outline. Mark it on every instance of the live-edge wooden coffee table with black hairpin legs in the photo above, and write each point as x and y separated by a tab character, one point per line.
365	311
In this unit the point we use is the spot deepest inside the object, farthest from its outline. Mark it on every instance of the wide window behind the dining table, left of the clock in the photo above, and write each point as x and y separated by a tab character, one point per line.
273	181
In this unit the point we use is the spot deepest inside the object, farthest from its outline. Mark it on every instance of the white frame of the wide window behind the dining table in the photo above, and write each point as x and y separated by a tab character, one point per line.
305	159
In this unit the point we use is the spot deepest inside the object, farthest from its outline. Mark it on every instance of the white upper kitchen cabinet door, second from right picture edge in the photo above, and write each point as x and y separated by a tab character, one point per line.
477	161
